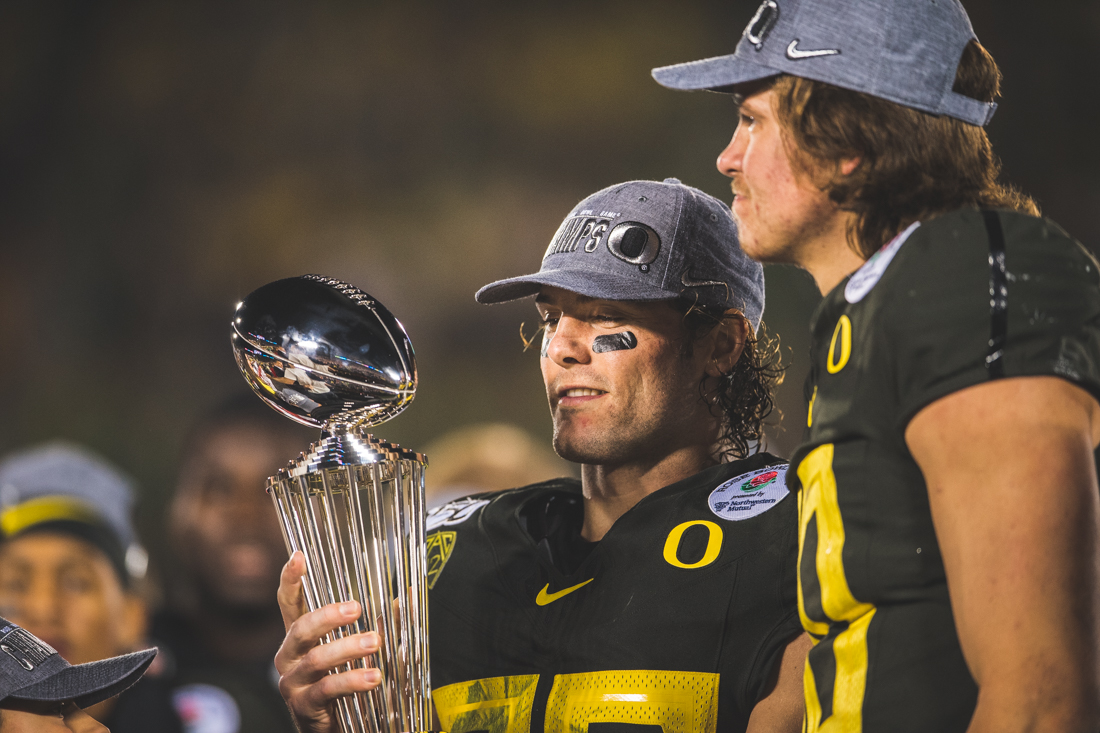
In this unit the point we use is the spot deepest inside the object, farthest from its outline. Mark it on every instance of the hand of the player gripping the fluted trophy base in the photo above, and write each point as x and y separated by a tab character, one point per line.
304	663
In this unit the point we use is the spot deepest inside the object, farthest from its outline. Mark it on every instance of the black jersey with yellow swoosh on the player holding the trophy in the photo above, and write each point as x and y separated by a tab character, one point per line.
673	622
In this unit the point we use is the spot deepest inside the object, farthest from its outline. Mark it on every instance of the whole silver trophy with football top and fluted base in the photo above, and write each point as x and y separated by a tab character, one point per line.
327	355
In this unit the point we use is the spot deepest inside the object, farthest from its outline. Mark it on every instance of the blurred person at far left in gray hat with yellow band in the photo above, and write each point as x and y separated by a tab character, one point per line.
70	565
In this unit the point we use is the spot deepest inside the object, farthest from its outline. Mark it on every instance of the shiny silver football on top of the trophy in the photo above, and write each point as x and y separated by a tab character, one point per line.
317	349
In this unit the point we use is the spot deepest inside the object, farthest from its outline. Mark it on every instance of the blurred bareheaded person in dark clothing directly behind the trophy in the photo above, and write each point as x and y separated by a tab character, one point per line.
222	627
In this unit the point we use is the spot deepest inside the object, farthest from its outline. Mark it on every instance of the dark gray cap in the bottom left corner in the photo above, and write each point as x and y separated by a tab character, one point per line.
31	670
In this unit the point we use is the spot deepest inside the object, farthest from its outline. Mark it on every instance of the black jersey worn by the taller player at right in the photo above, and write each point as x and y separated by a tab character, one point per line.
954	302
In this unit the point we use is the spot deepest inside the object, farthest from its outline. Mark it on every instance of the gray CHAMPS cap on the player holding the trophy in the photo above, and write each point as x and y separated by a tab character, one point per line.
645	240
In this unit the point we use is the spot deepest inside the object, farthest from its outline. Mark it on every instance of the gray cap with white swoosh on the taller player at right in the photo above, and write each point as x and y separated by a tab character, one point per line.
903	51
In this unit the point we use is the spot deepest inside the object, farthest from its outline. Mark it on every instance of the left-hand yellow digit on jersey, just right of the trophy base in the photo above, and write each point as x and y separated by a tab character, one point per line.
498	705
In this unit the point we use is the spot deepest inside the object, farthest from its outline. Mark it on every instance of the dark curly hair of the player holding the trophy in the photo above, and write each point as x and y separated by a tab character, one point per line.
745	397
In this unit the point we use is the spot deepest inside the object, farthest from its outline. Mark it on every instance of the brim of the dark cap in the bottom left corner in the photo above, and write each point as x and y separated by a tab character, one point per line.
91	683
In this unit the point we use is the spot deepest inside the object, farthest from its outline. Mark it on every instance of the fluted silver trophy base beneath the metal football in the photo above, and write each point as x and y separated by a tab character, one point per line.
360	523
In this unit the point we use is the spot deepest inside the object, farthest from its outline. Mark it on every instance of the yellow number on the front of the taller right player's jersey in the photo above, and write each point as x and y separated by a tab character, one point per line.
818	502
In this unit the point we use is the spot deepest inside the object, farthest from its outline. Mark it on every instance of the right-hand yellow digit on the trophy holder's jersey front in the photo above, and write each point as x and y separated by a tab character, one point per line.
678	702
